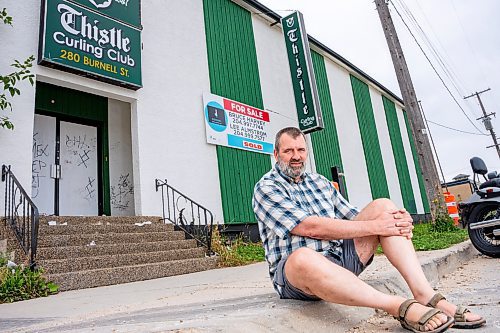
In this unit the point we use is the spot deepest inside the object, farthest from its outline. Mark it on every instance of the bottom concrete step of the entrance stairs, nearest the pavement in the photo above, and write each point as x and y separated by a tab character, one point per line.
124	274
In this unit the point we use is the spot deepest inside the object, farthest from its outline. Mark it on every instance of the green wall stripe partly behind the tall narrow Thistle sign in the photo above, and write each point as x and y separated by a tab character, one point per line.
325	142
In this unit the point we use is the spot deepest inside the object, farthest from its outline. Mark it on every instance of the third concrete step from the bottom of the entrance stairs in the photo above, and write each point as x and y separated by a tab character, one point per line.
67	252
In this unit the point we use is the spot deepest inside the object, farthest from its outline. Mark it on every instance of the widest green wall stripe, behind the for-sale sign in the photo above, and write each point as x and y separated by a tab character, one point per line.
234	73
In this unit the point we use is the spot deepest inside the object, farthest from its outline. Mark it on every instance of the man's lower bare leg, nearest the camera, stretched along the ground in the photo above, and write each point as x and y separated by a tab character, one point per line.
312	273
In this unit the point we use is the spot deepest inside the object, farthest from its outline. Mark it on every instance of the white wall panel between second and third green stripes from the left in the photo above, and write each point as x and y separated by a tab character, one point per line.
353	160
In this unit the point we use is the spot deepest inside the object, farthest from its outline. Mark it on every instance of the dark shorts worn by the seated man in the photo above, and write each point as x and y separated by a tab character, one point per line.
349	261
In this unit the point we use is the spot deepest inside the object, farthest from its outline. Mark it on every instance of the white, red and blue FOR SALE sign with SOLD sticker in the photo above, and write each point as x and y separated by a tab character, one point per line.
237	125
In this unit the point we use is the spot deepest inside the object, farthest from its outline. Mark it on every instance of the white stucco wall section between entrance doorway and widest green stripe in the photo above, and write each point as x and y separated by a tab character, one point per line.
171	129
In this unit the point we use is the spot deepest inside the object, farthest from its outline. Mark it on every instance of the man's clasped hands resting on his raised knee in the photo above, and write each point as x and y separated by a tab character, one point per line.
395	223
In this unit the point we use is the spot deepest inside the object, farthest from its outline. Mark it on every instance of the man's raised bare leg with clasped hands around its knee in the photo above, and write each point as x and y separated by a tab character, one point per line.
401	254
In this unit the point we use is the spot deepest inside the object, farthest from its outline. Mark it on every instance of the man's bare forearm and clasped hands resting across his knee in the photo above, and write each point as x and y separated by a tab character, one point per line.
391	223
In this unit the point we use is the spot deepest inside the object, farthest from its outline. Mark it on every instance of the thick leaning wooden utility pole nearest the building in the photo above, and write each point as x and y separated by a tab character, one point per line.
425	158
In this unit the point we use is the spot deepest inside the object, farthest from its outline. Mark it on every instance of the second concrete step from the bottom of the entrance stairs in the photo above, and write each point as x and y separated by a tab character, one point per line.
57	266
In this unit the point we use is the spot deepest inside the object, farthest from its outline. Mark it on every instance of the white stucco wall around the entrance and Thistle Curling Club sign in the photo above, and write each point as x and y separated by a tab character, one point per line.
168	134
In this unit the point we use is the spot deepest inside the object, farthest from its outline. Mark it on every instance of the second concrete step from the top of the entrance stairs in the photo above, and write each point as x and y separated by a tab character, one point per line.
102	228
